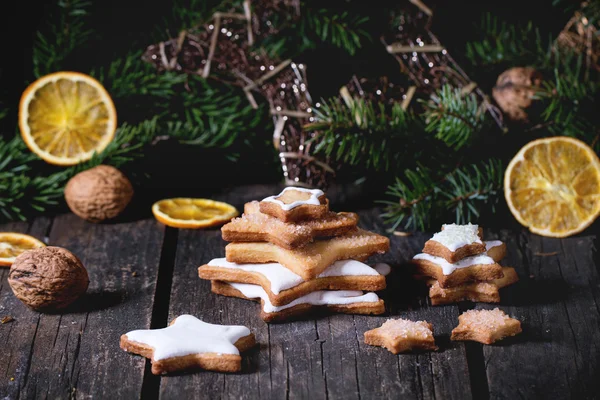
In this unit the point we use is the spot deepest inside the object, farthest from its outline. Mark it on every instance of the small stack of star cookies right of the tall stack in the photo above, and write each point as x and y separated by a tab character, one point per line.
458	265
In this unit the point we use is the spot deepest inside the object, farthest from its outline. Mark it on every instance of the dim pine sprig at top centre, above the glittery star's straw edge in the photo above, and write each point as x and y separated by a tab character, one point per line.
315	28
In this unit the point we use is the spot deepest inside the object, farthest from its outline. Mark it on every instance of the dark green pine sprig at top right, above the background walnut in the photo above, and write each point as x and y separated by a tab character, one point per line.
508	44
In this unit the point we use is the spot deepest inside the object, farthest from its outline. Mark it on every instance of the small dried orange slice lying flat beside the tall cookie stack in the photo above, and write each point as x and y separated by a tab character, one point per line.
193	213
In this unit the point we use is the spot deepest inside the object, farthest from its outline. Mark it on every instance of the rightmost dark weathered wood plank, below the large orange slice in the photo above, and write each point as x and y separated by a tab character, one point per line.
557	301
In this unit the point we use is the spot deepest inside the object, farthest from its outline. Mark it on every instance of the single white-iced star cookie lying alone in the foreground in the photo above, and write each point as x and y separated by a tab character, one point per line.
190	343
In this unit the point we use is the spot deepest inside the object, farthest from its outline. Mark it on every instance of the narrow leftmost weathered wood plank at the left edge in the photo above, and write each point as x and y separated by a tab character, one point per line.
17	336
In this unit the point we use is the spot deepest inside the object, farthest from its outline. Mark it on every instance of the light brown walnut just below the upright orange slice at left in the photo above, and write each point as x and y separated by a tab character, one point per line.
99	193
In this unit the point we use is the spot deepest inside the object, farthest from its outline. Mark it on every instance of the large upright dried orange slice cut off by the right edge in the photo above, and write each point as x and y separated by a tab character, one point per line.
552	186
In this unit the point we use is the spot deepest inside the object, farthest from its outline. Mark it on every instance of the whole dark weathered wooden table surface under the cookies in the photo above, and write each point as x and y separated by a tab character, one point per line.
143	275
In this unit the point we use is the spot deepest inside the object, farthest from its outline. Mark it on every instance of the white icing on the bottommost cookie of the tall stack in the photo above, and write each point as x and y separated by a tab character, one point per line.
318	298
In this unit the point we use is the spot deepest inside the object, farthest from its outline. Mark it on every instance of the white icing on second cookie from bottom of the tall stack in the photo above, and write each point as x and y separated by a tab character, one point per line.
282	278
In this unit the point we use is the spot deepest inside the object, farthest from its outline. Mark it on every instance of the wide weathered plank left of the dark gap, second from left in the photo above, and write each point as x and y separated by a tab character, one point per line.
76	353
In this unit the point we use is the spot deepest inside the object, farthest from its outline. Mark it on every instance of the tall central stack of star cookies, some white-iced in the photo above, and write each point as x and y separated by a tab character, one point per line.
293	254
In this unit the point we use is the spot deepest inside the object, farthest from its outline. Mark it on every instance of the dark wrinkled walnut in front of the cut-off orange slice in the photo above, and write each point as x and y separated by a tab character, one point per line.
48	278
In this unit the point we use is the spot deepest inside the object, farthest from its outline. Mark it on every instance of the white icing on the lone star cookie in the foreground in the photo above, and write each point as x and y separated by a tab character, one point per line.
188	335
